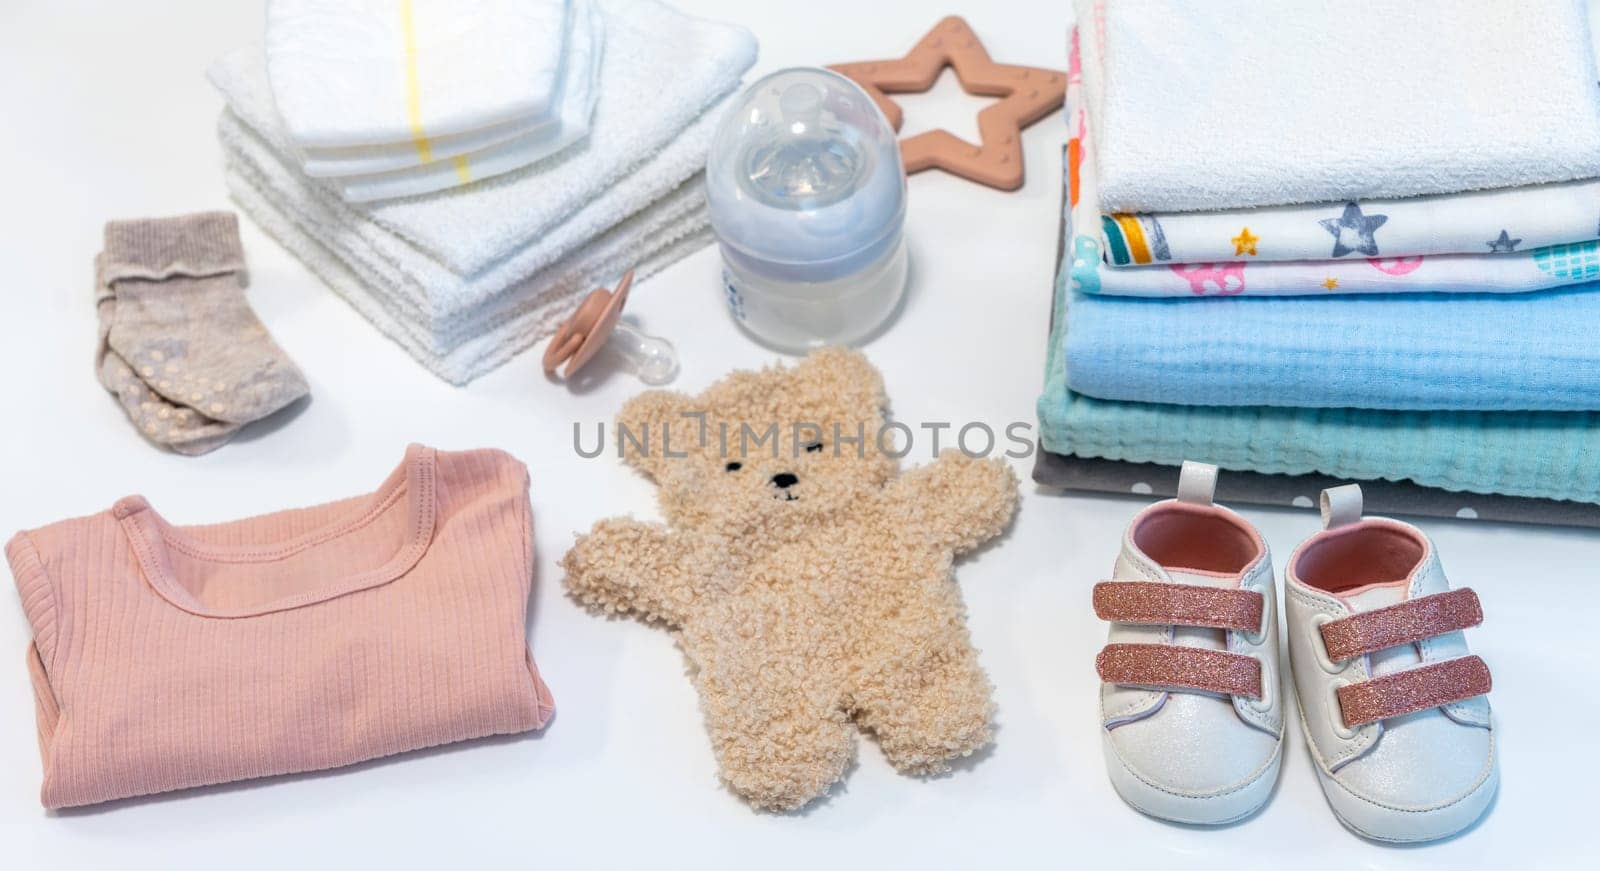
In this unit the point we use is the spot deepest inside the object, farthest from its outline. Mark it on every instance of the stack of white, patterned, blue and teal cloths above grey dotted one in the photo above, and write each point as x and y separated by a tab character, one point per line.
1318	238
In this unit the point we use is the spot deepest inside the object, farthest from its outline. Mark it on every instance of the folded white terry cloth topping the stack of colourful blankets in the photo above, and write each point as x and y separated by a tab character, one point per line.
1241	103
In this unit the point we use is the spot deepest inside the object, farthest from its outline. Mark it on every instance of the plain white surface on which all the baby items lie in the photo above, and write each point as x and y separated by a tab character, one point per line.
108	114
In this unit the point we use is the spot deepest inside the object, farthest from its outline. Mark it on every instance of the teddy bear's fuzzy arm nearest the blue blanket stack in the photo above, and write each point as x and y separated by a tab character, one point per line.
958	500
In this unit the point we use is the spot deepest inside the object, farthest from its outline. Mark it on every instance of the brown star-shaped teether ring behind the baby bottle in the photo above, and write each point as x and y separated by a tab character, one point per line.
1030	94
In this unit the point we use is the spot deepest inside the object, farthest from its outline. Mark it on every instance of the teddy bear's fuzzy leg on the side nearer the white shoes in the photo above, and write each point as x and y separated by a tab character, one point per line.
929	707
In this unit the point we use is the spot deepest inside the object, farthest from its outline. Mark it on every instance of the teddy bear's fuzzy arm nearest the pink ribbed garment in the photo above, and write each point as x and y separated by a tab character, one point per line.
647	569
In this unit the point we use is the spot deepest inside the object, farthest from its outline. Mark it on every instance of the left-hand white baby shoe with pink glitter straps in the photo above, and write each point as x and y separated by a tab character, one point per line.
1191	707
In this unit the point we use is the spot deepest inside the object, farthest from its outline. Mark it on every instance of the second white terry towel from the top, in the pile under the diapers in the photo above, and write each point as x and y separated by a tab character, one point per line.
444	299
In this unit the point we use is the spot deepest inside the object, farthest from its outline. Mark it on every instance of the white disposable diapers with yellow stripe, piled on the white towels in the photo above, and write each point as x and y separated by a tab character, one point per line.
466	114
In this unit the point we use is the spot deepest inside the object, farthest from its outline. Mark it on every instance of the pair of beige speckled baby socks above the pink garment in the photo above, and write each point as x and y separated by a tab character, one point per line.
175	318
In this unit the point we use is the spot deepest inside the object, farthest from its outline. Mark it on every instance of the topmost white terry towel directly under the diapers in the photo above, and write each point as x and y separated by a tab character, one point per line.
660	73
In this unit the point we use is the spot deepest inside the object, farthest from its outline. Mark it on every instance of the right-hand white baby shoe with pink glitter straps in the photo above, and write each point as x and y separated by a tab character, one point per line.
1393	705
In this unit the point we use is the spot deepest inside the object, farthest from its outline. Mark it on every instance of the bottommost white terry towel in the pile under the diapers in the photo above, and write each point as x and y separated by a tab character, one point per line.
546	299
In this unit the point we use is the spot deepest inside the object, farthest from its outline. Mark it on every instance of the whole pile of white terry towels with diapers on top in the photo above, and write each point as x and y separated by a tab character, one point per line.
463	172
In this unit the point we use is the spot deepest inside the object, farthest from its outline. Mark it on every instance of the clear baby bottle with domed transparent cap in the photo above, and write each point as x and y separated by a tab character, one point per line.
809	201
